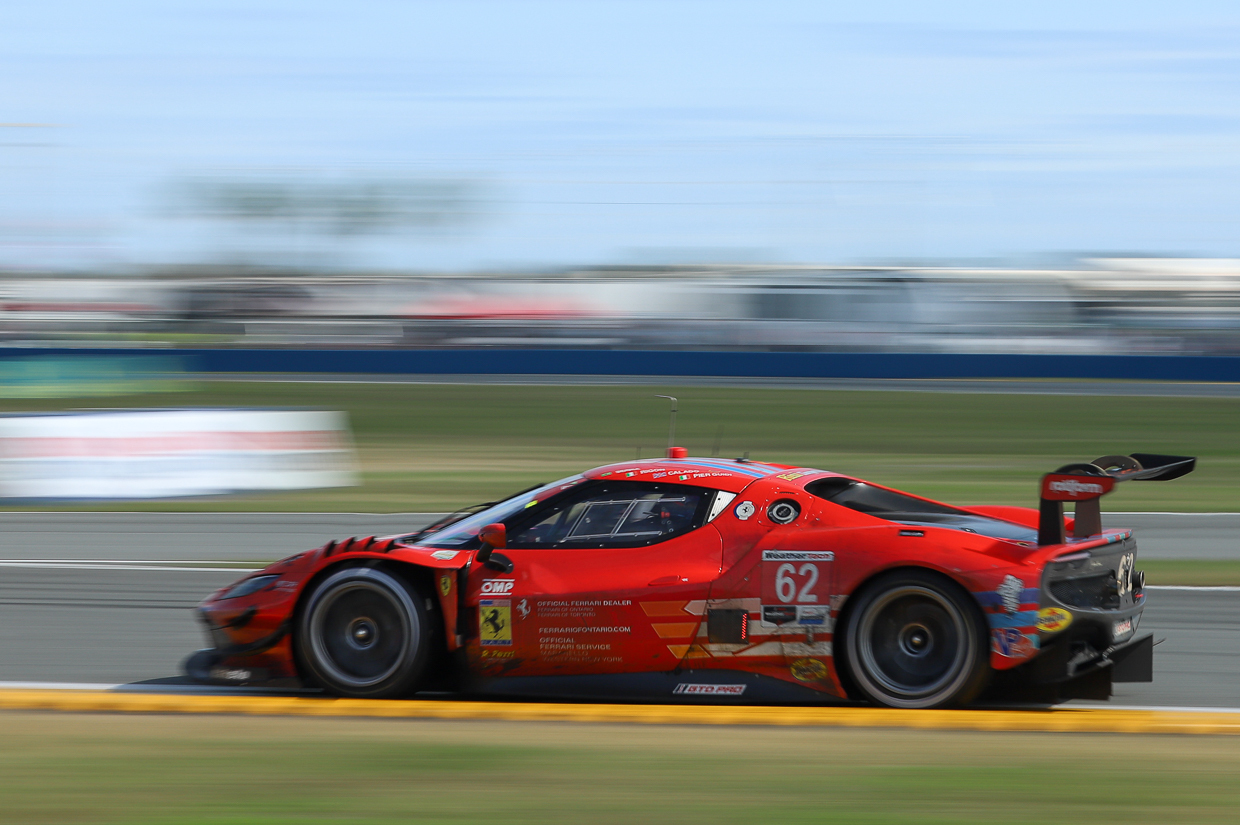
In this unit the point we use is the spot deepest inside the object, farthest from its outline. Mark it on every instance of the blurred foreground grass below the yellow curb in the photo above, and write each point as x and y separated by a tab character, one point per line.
63	769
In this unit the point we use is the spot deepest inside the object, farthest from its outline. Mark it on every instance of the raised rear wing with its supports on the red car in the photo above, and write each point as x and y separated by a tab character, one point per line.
1088	483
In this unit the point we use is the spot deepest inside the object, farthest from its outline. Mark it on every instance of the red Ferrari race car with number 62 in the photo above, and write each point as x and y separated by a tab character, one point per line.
717	580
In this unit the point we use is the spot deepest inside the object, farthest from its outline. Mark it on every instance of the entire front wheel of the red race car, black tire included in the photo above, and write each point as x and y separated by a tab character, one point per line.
364	633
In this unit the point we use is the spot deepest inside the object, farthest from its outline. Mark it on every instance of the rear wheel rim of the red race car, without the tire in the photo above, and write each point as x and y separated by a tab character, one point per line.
914	644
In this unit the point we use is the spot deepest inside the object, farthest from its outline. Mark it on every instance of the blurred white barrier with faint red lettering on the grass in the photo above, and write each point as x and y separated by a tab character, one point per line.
166	453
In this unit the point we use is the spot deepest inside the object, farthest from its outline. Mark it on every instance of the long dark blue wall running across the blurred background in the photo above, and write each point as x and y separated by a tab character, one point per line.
772	365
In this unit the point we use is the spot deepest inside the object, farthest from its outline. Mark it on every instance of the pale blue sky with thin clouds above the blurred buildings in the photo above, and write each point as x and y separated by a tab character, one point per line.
628	132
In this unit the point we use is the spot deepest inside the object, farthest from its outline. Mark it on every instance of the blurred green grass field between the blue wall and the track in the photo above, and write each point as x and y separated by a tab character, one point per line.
432	448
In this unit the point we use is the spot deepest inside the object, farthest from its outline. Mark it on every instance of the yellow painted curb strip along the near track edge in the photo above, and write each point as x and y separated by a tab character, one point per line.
1066	720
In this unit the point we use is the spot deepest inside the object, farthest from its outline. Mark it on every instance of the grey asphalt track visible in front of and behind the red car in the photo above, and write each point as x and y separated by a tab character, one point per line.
105	599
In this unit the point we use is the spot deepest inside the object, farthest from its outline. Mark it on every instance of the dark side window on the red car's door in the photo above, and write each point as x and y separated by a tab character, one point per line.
616	514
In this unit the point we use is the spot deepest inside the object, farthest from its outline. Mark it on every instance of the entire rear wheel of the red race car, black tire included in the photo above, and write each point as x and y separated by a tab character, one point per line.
914	640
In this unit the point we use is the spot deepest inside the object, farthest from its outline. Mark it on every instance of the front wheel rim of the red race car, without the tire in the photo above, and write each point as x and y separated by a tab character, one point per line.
360	635
